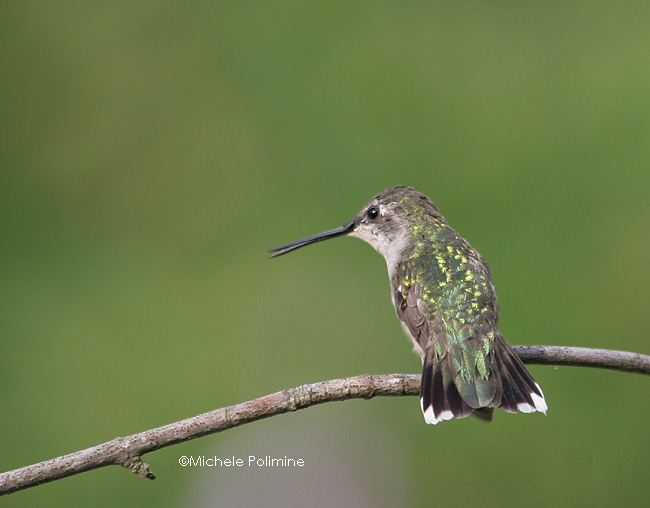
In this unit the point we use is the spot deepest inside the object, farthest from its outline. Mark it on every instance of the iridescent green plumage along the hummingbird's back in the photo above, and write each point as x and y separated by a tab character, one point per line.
454	285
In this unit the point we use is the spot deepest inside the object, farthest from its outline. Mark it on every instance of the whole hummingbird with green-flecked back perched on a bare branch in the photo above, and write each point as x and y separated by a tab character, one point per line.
443	294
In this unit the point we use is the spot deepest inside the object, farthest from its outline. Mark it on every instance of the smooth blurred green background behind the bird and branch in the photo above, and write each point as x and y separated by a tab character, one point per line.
153	151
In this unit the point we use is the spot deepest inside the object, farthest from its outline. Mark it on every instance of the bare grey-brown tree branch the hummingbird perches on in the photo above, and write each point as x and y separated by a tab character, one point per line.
126	451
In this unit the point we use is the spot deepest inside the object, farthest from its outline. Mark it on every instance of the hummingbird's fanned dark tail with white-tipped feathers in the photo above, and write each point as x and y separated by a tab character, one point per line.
449	391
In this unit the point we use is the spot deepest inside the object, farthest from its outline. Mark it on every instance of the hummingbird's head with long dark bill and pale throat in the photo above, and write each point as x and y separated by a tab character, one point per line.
385	222
